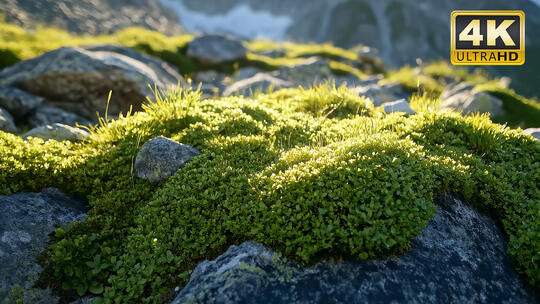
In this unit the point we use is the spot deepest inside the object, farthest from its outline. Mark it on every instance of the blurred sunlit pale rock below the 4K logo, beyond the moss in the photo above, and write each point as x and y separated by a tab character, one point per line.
463	97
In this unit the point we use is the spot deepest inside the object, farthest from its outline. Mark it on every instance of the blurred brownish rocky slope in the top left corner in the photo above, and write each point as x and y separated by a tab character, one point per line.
91	17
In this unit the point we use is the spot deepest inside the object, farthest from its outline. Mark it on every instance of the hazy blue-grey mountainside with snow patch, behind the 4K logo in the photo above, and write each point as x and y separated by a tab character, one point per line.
401	30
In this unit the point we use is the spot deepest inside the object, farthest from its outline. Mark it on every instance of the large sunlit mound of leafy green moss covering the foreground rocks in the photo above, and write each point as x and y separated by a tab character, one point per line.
310	173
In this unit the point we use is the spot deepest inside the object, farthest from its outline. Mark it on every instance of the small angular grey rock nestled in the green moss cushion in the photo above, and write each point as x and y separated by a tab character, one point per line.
161	157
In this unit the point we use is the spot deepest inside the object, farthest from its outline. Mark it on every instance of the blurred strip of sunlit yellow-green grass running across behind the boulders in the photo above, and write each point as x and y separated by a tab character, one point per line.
18	44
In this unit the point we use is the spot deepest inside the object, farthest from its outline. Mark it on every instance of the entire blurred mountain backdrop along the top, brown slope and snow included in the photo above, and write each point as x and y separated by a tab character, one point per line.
398	31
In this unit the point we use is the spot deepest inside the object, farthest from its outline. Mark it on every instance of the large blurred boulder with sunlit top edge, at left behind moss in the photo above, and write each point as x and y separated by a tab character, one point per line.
79	80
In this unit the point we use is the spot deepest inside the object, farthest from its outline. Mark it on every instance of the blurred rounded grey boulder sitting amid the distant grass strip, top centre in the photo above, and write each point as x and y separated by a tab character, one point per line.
216	49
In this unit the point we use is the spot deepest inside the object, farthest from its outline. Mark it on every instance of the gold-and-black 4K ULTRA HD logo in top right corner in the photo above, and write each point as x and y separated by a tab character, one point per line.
487	37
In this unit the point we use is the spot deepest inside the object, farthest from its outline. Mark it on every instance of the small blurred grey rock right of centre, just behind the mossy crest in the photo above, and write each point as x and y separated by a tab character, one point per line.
380	94
